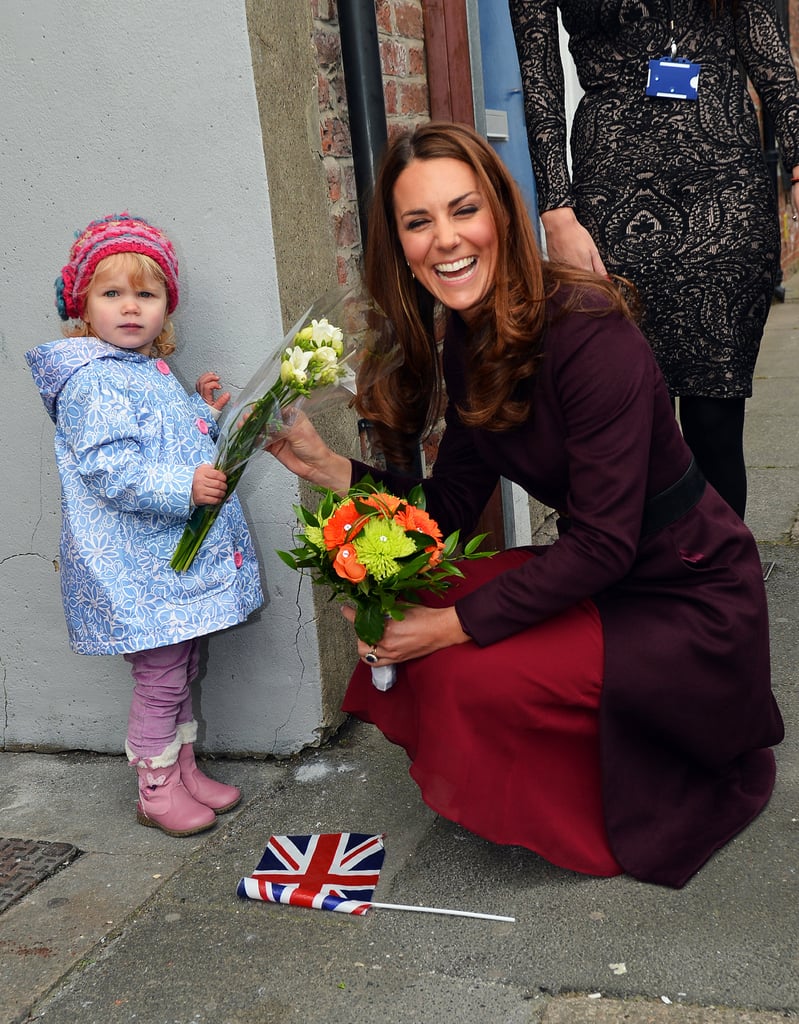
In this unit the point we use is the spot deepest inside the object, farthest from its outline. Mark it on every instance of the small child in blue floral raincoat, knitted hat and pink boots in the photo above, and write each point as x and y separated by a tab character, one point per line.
135	453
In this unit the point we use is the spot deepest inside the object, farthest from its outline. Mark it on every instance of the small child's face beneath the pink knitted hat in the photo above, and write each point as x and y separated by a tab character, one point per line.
124	312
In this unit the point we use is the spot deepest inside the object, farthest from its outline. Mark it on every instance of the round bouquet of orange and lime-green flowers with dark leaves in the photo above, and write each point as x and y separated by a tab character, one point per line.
376	552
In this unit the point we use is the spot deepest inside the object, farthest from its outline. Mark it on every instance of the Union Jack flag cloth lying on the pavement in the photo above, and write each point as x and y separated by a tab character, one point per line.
330	872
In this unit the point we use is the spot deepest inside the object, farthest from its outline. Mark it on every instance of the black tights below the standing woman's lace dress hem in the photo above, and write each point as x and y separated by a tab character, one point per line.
713	430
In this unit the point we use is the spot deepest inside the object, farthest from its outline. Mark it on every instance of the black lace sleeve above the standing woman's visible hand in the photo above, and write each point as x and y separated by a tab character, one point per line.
536	31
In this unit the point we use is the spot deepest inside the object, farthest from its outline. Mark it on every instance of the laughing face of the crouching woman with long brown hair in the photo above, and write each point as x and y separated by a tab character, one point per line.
447	232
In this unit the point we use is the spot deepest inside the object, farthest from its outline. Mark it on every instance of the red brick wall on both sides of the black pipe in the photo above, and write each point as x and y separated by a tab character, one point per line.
401	38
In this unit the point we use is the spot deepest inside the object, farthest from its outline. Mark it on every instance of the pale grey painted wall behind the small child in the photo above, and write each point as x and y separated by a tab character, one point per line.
149	107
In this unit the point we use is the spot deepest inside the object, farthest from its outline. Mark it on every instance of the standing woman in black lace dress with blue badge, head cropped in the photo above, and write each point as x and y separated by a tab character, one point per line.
672	194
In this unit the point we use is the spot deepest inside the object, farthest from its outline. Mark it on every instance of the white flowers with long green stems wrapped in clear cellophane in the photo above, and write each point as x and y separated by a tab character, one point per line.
315	366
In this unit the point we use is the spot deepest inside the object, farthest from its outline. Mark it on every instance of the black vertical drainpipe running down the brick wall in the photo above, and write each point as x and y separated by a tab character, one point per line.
364	83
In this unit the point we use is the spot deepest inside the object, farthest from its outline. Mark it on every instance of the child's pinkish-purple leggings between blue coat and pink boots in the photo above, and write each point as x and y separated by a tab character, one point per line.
162	699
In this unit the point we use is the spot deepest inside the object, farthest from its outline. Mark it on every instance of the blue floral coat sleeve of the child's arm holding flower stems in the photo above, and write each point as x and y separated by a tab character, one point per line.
104	435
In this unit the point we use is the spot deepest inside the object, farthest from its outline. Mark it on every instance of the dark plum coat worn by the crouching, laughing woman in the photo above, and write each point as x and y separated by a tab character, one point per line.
687	713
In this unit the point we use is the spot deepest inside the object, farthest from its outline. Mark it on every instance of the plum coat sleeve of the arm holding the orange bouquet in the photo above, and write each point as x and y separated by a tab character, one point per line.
598	392
